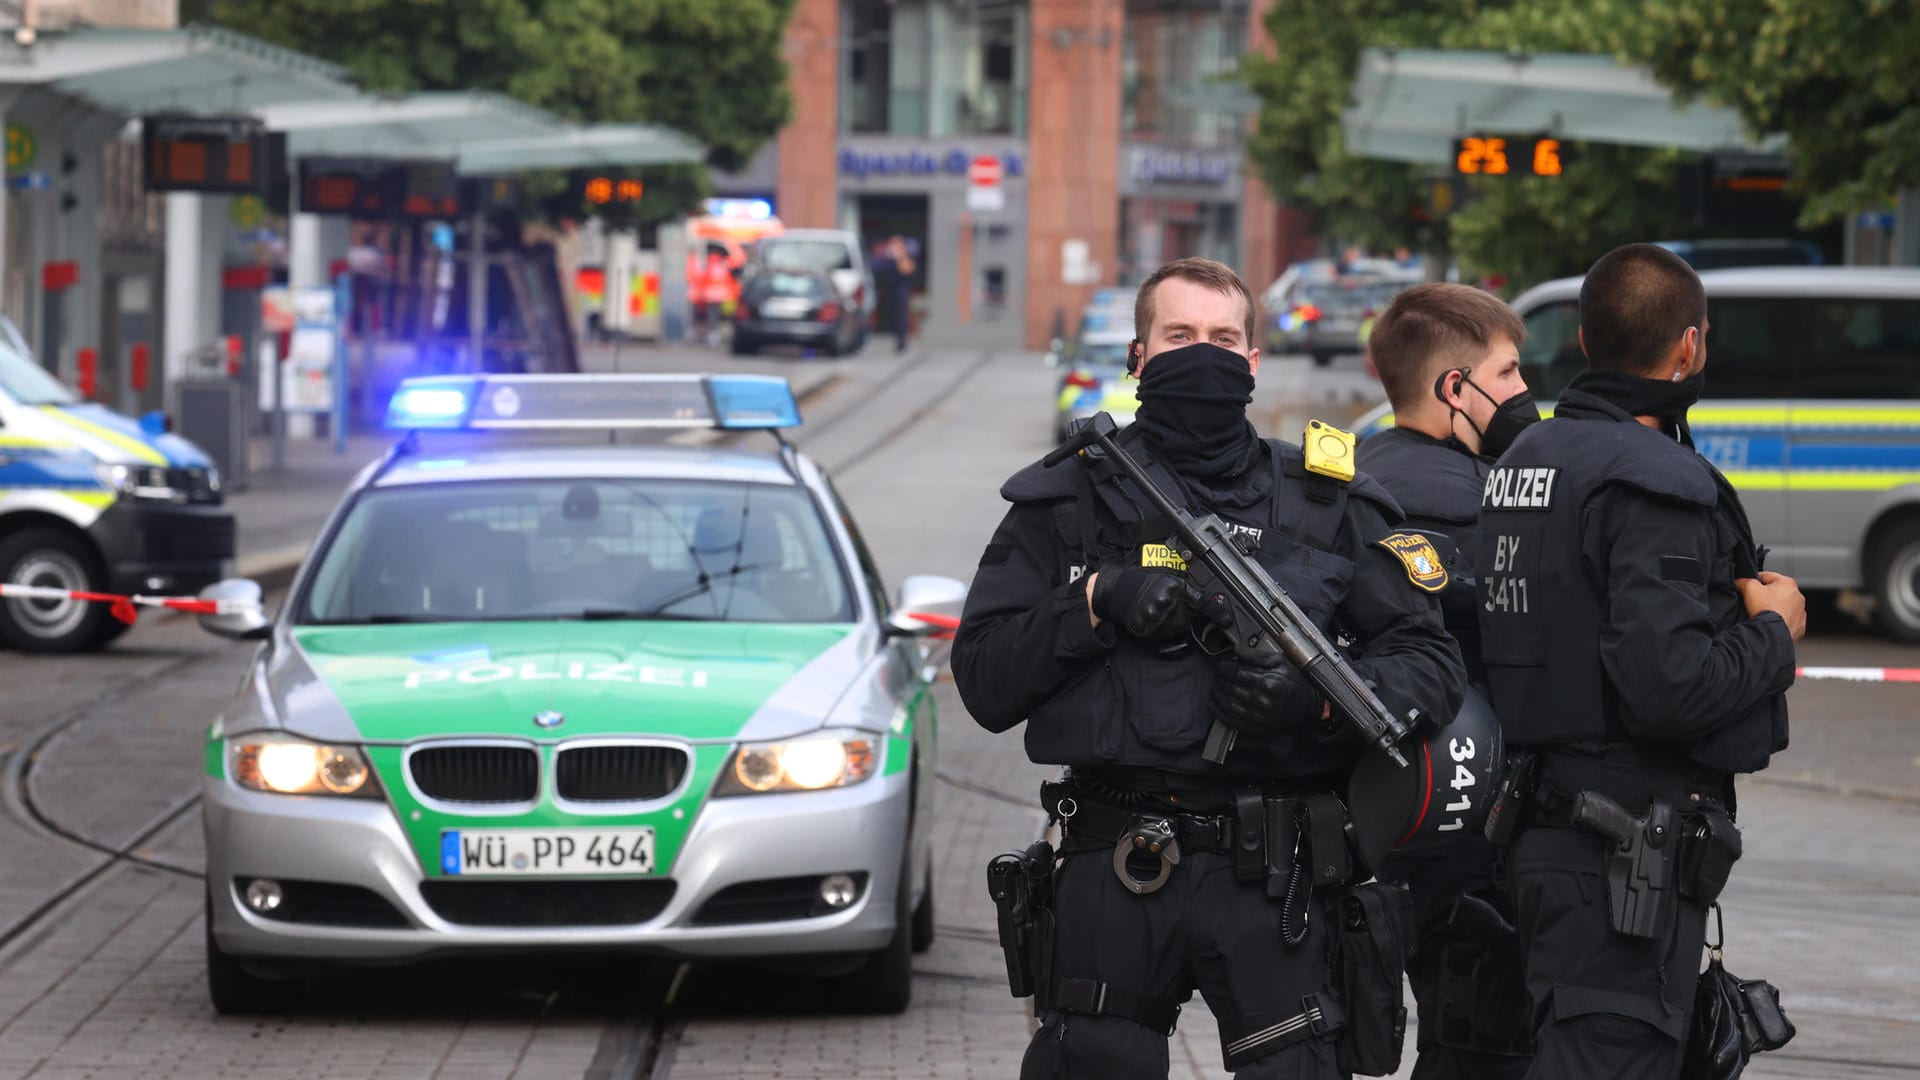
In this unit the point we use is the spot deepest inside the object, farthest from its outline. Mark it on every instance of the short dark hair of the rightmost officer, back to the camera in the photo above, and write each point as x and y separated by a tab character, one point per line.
1635	305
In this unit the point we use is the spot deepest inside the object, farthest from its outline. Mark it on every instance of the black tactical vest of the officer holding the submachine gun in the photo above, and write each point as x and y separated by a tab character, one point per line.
1145	708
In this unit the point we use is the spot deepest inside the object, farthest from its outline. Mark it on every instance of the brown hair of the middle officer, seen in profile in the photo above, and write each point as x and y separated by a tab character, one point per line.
1433	328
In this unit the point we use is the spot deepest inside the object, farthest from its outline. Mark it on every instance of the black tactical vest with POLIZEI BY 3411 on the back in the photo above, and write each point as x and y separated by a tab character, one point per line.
1541	610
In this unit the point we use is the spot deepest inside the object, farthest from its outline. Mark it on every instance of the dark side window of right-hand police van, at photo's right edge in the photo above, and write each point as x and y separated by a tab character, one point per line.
1861	349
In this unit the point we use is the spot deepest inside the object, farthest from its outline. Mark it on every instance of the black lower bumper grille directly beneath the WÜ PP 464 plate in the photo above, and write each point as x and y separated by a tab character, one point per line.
548	904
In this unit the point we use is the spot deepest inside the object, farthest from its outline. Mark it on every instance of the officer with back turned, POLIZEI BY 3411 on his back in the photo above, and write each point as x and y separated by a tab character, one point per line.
1639	647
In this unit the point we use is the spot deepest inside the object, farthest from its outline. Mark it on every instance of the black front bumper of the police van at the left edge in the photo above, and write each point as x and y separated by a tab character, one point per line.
156	547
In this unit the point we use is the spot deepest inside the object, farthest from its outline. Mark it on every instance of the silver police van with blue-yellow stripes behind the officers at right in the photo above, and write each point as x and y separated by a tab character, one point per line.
1812	410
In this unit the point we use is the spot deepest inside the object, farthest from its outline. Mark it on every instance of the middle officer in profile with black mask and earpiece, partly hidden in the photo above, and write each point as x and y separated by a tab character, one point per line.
1449	358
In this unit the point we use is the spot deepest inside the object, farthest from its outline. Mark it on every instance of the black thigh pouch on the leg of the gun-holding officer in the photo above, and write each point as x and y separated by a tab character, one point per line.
1374	925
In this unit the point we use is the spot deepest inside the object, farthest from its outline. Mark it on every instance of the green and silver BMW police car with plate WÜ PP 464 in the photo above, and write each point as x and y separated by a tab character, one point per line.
537	695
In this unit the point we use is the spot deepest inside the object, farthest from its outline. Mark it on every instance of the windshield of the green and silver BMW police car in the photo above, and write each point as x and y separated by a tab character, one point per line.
487	551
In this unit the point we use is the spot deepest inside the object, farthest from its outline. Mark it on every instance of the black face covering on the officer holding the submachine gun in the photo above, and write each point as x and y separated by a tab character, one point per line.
1193	408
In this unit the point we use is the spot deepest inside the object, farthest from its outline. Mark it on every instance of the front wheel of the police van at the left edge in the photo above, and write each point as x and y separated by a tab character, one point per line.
53	560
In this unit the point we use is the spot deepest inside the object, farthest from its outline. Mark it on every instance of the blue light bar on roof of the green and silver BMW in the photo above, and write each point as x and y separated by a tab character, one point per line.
602	403
